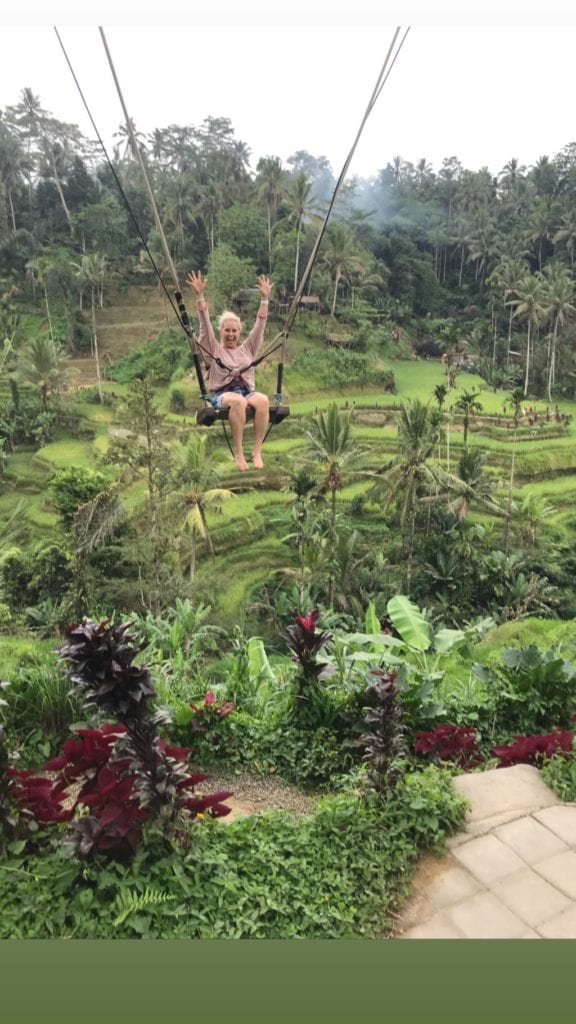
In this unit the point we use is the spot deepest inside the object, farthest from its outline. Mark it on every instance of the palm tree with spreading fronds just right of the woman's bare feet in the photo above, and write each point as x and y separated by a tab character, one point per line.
330	442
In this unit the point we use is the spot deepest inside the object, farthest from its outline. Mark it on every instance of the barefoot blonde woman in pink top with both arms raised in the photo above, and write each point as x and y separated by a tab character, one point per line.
234	388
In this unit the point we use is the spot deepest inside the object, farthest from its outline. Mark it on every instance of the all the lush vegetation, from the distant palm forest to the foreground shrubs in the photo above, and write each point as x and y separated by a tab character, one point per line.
390	603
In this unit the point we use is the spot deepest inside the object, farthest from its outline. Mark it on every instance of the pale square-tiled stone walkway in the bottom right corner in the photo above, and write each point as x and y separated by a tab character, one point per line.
512	875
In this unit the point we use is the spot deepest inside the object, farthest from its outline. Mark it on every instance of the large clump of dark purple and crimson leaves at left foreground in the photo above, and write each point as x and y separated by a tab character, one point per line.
124	774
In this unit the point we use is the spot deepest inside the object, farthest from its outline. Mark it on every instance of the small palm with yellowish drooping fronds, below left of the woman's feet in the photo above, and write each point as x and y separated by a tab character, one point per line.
198	493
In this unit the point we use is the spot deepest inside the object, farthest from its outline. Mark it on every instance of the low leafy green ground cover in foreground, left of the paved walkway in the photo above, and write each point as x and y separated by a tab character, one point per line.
340	873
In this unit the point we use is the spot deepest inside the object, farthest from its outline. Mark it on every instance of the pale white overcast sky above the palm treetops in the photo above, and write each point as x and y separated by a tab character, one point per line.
301	78
